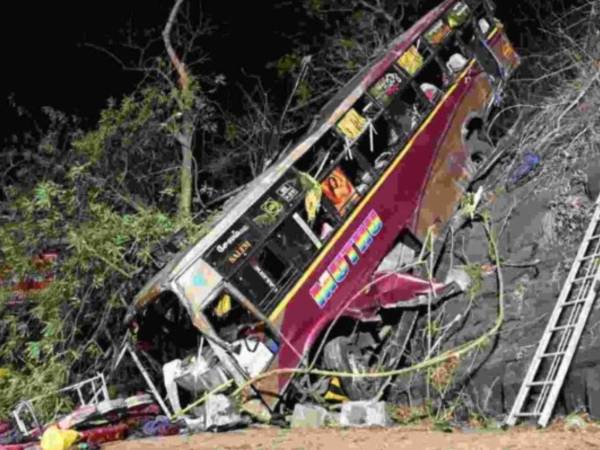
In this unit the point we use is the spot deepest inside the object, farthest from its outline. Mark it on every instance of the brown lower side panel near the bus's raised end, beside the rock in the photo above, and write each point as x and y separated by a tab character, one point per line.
449	173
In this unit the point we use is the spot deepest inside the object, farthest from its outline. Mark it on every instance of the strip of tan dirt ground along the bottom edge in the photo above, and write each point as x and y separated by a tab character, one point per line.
420	438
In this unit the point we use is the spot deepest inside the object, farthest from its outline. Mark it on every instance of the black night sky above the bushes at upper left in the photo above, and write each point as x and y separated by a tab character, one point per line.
46	63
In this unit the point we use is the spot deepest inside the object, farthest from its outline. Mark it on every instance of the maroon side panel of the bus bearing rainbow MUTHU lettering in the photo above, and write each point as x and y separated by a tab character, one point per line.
393	200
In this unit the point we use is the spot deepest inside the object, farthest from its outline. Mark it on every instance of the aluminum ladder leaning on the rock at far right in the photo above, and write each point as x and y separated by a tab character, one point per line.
548	369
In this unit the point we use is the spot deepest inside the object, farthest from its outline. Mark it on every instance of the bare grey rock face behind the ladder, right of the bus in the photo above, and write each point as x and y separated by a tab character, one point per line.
539	230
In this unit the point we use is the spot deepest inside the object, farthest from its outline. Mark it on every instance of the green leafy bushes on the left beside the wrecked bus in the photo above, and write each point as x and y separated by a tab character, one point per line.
106	215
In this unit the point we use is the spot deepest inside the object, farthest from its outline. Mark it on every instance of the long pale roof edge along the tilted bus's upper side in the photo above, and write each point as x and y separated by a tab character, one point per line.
327	117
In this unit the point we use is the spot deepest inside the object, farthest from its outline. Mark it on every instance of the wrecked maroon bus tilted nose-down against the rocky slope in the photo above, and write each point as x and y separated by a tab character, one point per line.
288	275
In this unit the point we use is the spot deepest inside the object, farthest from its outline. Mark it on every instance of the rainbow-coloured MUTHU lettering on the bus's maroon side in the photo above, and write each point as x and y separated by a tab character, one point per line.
338	270
